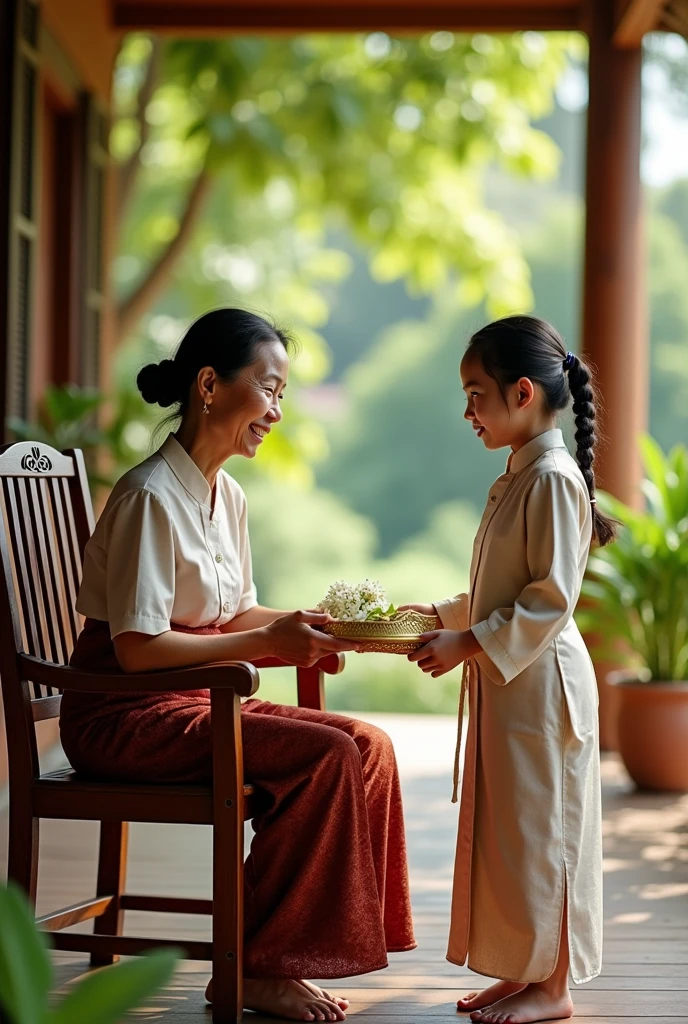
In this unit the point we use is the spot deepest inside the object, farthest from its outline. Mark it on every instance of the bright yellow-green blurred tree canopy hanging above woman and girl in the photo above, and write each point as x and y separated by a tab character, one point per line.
389	138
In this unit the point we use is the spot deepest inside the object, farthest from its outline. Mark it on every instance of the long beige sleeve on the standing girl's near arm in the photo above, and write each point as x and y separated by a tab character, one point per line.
513	638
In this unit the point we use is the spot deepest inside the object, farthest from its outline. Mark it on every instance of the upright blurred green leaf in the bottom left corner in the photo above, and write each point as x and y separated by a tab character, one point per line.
26	973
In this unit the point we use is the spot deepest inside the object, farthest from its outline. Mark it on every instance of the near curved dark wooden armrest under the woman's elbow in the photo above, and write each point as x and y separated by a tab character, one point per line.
238	676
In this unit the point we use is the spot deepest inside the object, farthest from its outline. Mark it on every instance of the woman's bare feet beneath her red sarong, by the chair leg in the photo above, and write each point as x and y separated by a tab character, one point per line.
295	1001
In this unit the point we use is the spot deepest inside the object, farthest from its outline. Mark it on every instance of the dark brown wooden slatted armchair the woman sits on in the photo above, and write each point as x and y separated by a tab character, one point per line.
48	519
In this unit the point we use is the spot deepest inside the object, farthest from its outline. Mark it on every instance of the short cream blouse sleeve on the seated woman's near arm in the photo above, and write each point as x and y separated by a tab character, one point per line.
141	566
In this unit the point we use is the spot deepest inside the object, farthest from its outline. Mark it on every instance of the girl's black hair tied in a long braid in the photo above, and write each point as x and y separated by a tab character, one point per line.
526	347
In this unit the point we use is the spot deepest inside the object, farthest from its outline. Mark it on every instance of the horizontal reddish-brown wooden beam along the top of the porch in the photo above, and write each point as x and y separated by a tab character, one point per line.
340	16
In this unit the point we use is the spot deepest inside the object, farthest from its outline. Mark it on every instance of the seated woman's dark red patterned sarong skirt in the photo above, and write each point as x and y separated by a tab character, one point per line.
326	882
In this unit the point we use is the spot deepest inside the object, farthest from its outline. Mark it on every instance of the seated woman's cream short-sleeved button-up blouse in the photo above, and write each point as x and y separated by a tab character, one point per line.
160	554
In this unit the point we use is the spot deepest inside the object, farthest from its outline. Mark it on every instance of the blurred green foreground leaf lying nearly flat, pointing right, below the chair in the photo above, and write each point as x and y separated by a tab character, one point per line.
104	997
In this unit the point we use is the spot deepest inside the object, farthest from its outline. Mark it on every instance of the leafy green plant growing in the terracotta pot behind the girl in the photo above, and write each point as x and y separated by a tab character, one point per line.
636	590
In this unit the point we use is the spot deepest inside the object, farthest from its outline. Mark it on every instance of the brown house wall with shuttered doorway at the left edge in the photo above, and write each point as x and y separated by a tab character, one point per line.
64	169
